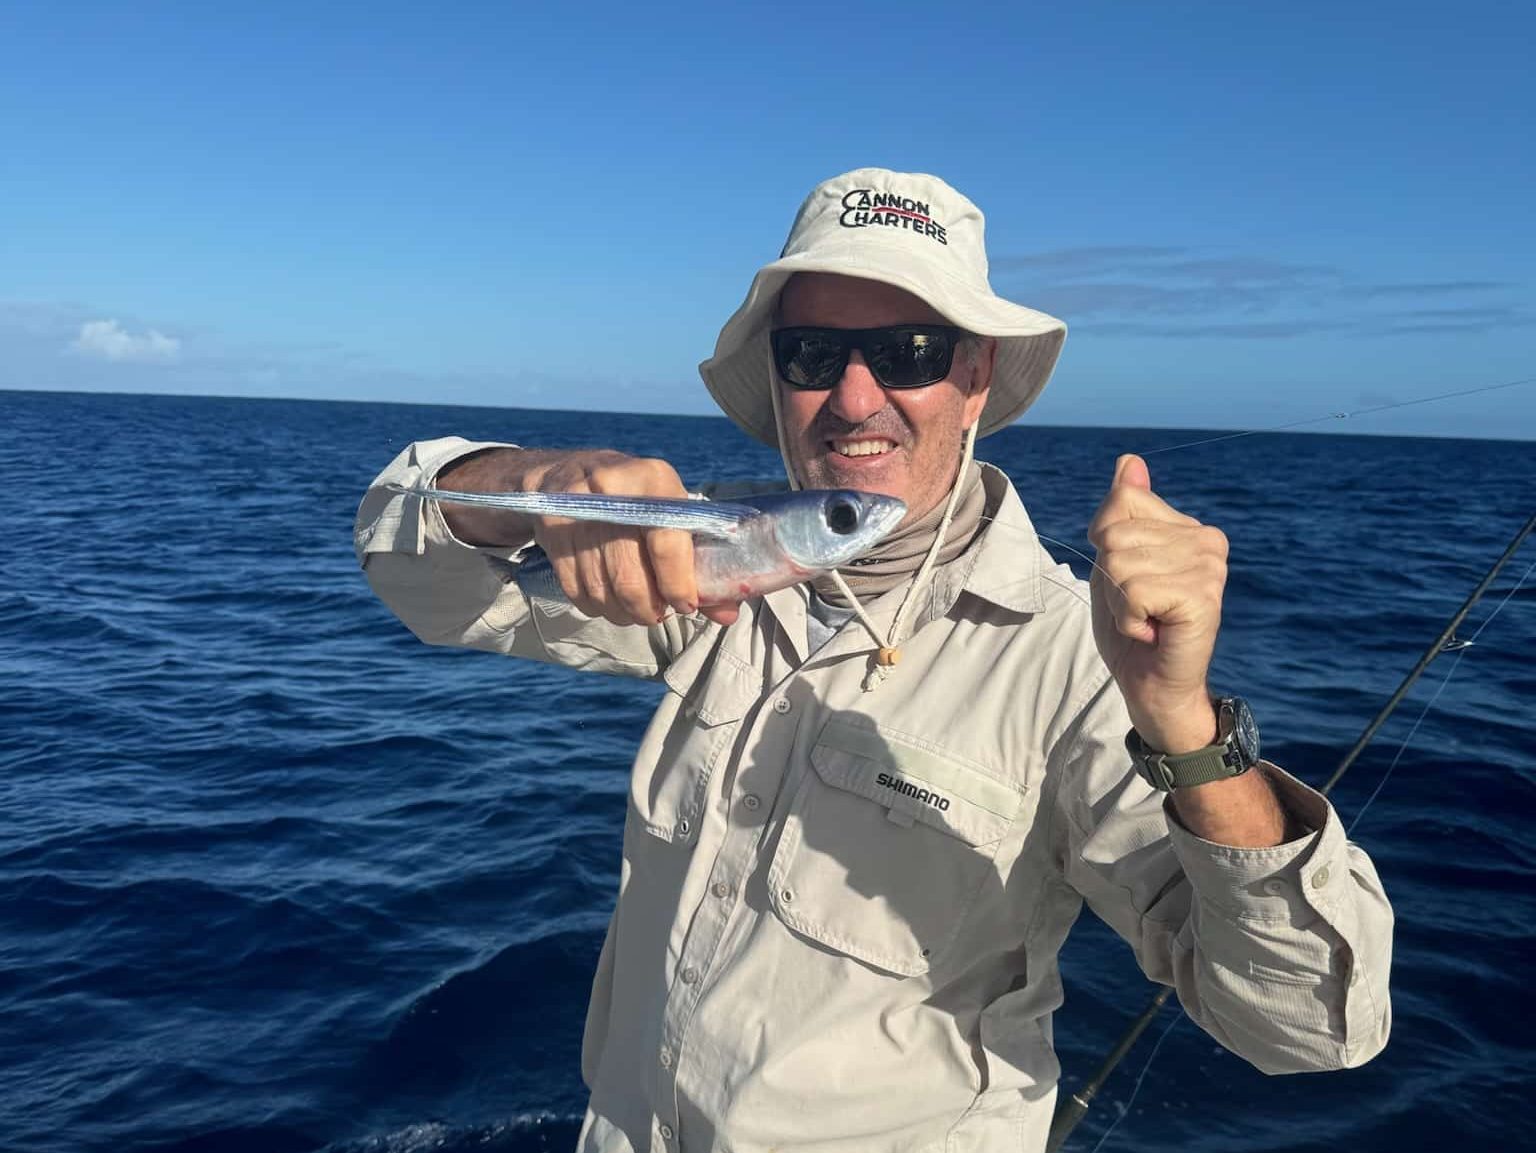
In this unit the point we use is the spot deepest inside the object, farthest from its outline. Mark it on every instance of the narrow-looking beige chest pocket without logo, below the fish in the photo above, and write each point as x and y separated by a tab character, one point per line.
709	692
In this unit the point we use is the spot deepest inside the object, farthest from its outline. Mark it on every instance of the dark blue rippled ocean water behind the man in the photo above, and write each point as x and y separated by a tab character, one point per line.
277	877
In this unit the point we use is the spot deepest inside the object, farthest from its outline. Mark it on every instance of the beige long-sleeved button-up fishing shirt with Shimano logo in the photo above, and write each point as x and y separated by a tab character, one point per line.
839	911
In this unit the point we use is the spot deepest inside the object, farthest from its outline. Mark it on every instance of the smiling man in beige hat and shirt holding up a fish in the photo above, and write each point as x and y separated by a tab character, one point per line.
867	813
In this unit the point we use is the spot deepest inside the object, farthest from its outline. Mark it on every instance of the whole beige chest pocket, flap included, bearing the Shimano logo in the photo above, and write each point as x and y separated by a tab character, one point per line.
887	845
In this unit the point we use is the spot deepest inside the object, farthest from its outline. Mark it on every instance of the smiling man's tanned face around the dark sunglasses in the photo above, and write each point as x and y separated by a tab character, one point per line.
918	434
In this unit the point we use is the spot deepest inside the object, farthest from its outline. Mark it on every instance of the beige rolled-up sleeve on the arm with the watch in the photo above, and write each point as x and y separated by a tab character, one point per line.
1282	954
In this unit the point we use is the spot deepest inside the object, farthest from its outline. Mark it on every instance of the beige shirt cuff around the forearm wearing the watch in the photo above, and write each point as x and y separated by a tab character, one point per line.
1282	882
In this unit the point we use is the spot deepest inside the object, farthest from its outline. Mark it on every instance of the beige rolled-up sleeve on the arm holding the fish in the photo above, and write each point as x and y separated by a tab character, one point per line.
452	593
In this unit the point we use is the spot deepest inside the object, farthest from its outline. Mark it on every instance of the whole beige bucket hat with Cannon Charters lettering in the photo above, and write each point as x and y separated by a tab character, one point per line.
915	233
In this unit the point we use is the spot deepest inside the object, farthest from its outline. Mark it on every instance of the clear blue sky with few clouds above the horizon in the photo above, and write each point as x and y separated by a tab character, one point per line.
1248	214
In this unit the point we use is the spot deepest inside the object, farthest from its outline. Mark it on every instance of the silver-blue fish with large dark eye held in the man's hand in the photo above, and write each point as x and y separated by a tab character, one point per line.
743	549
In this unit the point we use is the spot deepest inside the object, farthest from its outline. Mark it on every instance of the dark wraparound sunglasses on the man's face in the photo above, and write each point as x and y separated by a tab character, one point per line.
901	355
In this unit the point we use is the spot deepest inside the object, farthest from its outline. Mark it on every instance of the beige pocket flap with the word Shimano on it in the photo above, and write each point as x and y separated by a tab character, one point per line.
916	784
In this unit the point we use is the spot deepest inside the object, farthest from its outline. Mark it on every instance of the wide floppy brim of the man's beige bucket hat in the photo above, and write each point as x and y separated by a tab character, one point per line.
741	372
